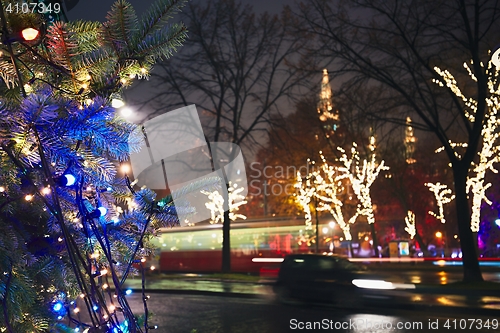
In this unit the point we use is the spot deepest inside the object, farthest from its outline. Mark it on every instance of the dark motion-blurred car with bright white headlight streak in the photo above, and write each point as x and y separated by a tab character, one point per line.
329	278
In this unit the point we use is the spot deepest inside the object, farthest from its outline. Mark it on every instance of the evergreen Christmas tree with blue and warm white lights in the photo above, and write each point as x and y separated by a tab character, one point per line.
72	226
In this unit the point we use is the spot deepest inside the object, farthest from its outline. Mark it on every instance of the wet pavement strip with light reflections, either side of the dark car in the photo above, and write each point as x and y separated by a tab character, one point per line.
436	299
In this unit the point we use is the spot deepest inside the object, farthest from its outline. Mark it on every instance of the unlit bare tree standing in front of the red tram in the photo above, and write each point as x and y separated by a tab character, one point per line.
236	67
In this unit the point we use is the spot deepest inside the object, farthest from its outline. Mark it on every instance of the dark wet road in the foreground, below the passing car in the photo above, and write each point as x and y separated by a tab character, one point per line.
215	314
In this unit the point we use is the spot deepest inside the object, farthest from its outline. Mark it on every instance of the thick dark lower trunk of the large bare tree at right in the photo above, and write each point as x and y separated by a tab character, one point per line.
472	271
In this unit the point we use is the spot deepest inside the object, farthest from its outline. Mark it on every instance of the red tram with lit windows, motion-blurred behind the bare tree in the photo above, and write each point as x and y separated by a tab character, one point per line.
254	244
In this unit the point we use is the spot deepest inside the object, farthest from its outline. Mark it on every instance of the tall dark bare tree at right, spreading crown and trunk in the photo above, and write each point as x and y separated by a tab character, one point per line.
396	45
